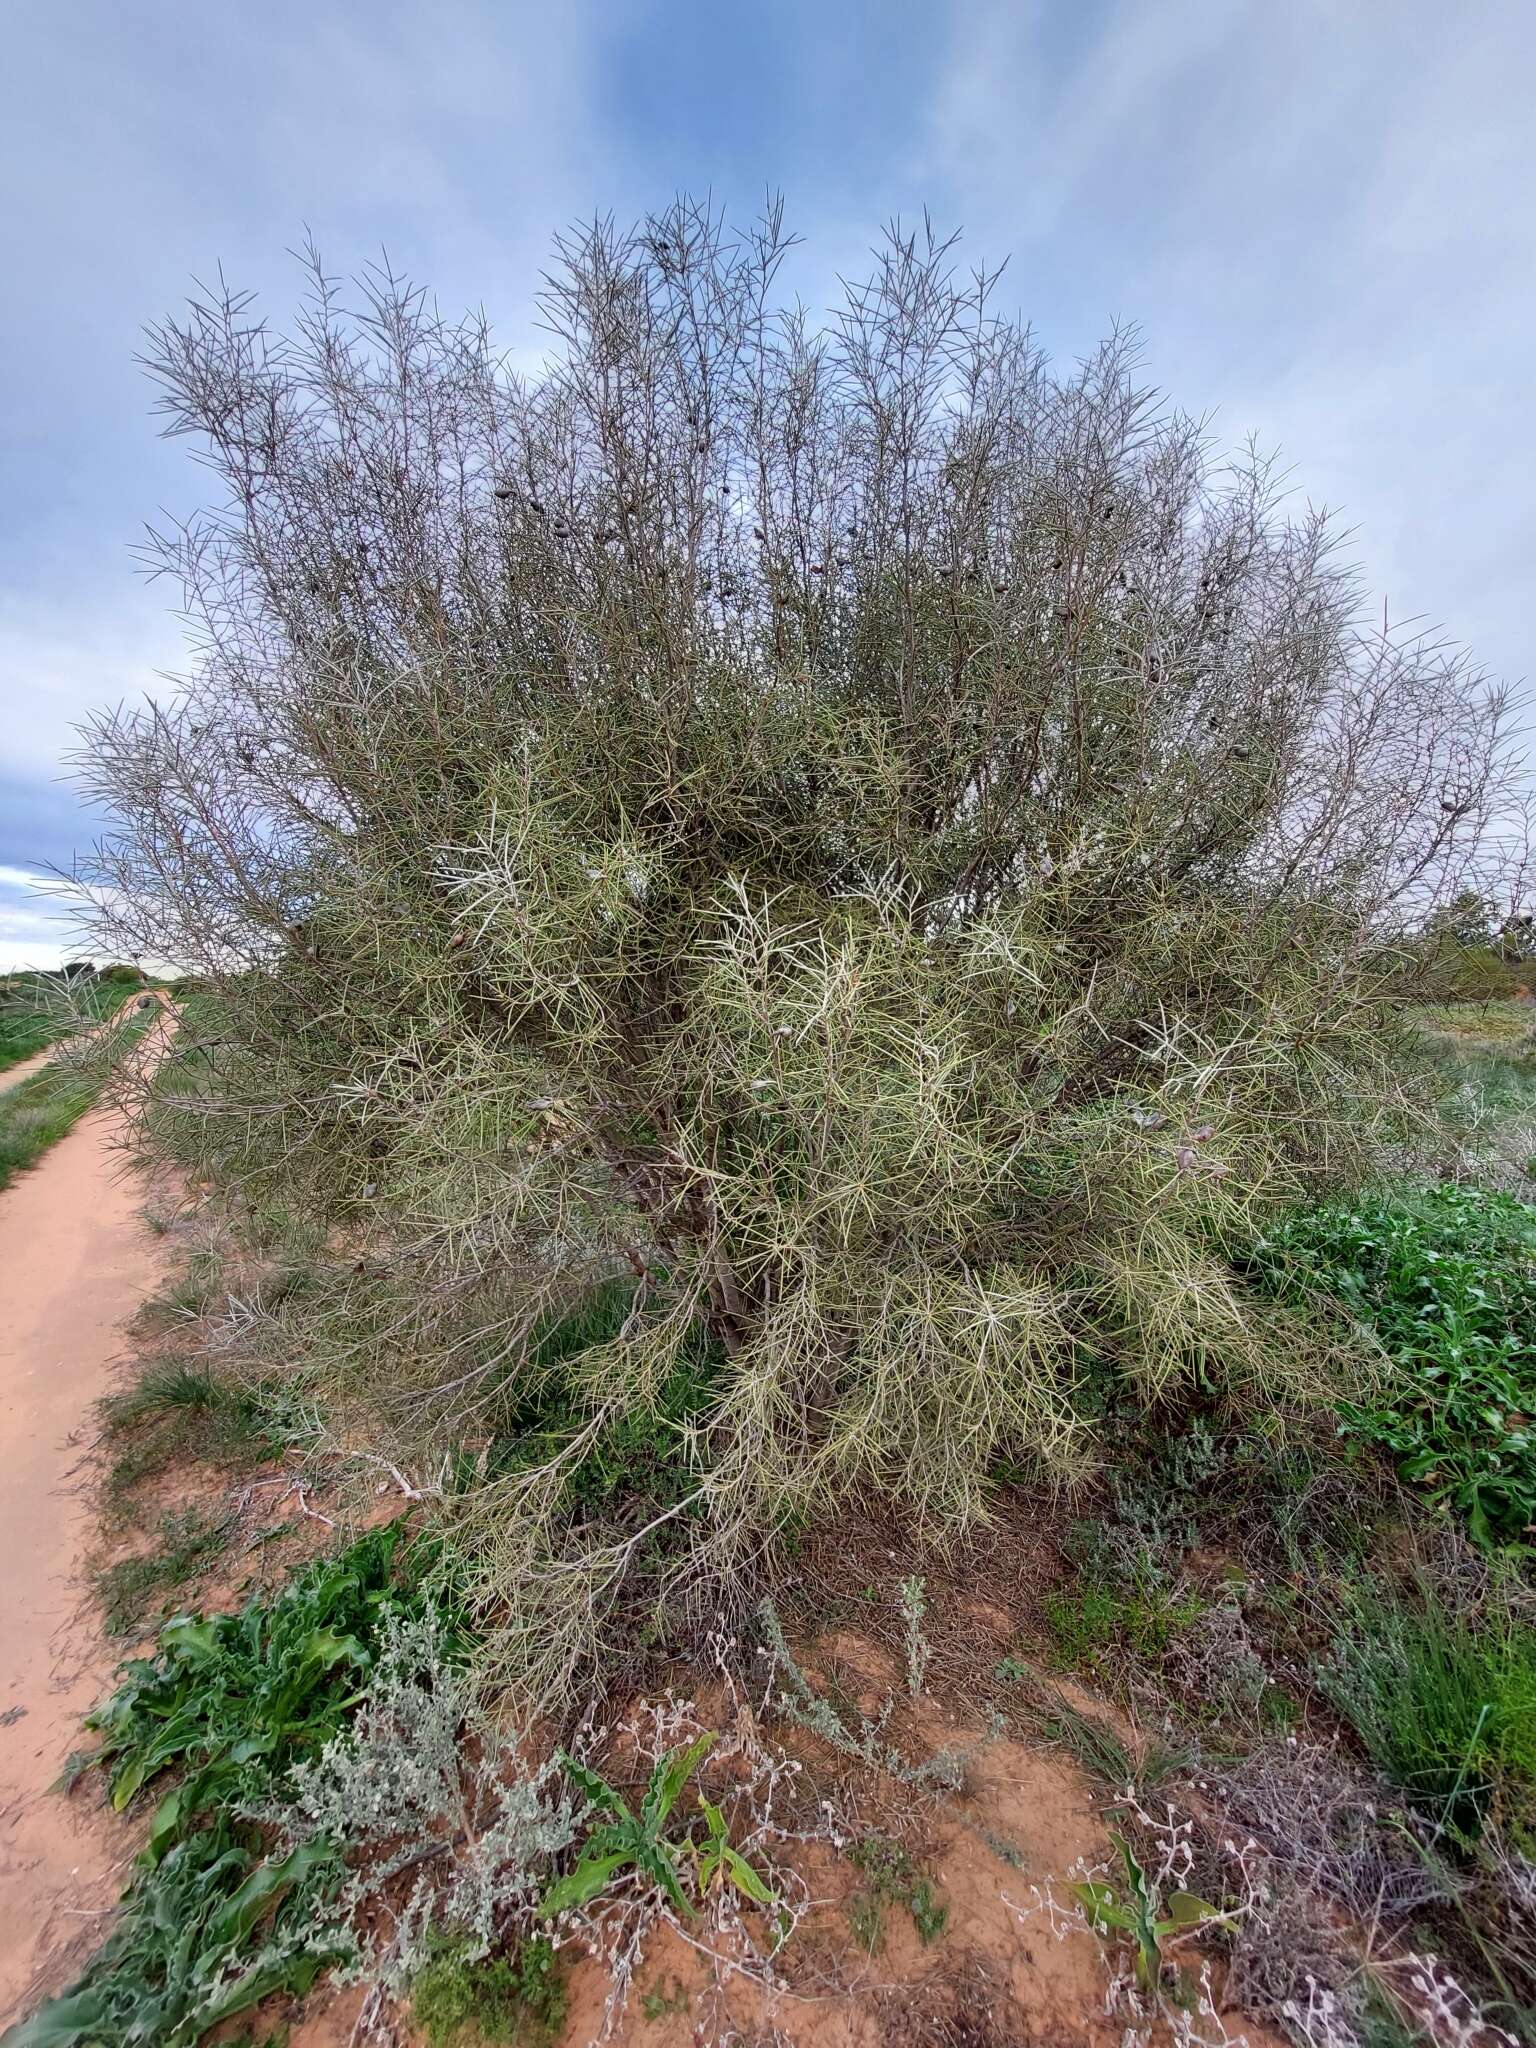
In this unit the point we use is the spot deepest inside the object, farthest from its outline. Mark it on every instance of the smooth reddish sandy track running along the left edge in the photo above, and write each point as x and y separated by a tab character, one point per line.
75	1263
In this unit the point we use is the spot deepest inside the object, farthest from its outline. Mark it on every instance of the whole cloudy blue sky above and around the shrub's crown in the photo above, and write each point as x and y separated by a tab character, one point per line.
1322	216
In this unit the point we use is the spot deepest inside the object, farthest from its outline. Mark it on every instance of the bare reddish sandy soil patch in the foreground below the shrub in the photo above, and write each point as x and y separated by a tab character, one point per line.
998	1977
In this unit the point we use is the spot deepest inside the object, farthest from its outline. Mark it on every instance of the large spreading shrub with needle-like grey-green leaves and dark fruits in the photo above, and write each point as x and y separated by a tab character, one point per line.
890	847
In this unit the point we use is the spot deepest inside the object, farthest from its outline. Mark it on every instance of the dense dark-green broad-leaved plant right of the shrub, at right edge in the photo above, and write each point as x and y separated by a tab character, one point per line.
1447	1283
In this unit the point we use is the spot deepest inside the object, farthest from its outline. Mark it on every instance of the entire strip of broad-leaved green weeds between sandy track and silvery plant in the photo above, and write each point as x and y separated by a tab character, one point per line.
214	1922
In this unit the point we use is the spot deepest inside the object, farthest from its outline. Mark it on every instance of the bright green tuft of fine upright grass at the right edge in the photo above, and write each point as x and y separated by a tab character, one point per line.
1445	1703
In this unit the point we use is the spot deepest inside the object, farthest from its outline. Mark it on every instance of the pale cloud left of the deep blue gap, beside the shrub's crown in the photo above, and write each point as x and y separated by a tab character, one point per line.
153	148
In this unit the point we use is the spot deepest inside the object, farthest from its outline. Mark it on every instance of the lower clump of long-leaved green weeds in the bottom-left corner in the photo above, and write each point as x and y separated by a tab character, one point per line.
206	1932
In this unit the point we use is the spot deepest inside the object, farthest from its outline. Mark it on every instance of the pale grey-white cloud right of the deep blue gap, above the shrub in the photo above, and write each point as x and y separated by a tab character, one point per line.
1322	218
